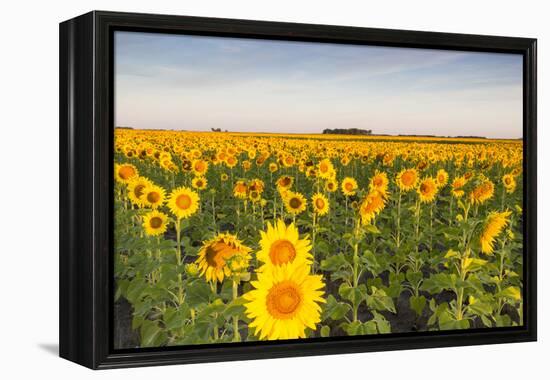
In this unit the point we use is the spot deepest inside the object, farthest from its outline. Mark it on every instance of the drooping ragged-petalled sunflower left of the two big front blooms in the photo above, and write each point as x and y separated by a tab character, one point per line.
222	256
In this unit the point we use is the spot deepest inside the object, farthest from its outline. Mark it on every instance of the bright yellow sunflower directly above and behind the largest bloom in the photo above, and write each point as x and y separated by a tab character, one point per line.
281	244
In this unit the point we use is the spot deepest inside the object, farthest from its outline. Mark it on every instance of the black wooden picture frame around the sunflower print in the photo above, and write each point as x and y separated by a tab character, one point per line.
86	183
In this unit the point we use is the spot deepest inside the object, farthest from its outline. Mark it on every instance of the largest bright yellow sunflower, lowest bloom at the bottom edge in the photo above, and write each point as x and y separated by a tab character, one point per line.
284	302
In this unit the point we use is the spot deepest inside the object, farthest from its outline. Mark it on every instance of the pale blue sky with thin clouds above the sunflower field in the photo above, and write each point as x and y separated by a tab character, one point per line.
185	82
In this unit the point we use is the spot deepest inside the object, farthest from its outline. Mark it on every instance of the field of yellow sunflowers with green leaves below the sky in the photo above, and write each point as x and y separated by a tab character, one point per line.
228	237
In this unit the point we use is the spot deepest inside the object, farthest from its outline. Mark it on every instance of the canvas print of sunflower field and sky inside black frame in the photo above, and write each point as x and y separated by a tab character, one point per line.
284	190
